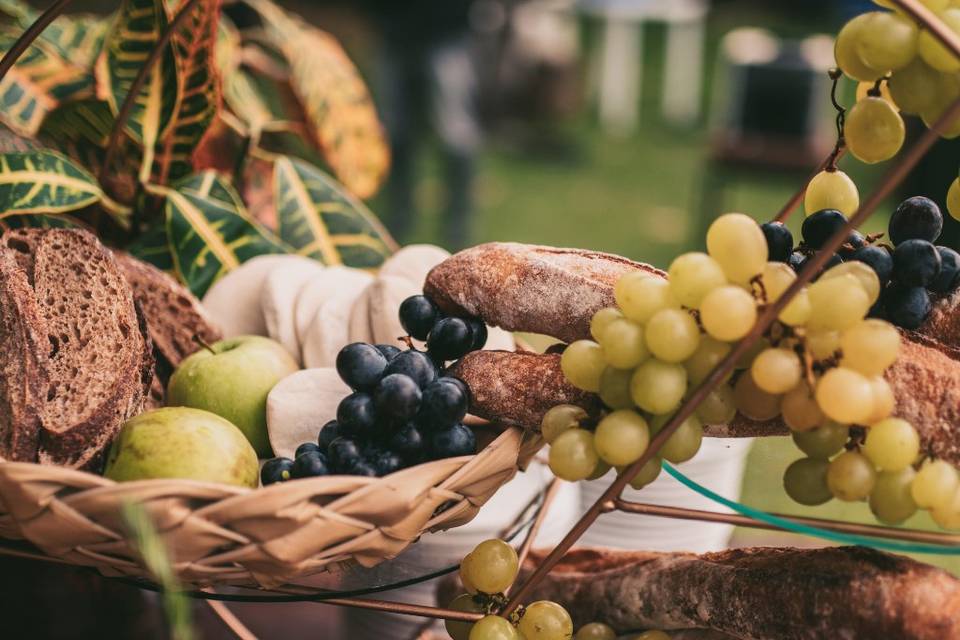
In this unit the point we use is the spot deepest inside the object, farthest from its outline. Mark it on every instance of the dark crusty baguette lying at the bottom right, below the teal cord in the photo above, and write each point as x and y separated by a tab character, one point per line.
759	593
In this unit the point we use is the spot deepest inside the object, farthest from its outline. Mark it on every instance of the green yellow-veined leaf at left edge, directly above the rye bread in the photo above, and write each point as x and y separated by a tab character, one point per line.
44	182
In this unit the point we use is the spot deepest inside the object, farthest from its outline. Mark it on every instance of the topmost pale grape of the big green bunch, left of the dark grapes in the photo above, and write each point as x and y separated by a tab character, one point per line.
737	243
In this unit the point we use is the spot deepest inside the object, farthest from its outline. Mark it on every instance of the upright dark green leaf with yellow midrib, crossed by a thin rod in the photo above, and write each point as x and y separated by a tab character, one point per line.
134	34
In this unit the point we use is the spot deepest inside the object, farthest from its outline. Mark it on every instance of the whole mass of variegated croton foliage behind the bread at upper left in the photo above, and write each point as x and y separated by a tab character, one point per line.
276	103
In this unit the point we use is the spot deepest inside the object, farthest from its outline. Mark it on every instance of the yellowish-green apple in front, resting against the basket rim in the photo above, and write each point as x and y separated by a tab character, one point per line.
182	443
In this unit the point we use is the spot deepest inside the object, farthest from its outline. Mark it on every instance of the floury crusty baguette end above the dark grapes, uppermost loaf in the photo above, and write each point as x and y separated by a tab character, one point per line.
522	287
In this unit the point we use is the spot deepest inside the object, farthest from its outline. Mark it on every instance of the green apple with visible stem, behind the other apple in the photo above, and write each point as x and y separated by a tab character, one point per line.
232	379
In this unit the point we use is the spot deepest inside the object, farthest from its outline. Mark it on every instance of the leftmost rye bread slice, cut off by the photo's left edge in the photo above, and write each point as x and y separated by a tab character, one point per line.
23	371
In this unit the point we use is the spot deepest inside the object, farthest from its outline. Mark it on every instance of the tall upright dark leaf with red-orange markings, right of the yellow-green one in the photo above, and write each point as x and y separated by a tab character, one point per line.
194	44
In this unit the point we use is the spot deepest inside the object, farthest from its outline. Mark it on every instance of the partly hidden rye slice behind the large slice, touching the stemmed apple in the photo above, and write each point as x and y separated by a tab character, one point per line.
175	319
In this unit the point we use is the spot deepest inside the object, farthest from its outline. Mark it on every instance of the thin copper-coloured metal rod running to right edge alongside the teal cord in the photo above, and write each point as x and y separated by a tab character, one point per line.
874	531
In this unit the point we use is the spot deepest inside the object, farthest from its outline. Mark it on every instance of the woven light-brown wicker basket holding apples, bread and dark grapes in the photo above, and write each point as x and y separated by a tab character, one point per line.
220	534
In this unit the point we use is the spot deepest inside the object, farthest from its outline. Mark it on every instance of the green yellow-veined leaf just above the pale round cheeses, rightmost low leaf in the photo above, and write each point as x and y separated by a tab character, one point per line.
320	219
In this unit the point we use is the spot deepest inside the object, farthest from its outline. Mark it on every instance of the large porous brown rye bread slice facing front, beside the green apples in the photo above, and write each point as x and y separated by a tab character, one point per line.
100	355
